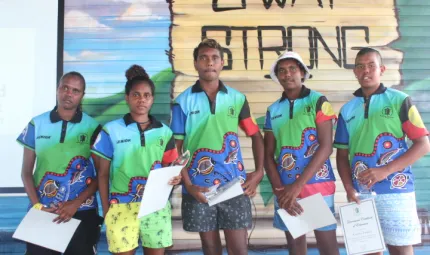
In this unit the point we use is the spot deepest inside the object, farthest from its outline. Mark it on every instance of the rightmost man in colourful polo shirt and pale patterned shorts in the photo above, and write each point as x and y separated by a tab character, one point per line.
373	155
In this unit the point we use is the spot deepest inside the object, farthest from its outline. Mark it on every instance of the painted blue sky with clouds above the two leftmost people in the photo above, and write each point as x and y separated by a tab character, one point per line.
102	38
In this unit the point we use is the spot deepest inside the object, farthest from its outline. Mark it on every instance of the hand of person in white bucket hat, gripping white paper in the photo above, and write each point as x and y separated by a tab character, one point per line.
287	199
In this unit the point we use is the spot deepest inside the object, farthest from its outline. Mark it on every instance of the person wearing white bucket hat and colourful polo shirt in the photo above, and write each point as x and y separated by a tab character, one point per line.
298	143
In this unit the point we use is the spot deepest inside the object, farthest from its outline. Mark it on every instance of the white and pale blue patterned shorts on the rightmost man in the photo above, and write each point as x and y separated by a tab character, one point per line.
399	218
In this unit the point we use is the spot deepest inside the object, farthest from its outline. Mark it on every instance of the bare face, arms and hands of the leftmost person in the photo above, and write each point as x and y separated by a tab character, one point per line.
69	95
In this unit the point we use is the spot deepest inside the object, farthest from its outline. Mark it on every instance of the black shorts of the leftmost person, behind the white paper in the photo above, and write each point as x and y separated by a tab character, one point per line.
84	240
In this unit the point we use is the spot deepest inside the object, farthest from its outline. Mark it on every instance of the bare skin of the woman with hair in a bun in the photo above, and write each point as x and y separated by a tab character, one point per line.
139	100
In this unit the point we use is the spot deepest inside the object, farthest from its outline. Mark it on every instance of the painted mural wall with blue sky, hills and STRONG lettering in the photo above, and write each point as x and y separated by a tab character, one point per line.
102	38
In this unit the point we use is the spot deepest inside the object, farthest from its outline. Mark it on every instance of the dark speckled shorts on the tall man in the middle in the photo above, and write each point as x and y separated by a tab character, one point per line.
232	214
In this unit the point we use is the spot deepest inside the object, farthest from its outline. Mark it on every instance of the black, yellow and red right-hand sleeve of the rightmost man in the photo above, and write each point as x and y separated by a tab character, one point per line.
412	123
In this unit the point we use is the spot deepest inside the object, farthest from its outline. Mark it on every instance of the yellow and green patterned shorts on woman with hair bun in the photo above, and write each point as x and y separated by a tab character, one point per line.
123	229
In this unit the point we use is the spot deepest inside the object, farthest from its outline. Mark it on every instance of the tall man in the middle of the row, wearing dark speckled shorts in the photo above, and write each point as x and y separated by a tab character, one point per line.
205	121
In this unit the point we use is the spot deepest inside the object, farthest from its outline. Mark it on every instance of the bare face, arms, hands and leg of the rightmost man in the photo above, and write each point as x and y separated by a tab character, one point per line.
368	71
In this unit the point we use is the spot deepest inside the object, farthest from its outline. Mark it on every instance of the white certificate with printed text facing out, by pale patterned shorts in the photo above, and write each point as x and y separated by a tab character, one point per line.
361	228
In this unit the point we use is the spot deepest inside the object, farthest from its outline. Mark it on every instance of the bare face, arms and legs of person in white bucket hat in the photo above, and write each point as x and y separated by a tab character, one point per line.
290	76
